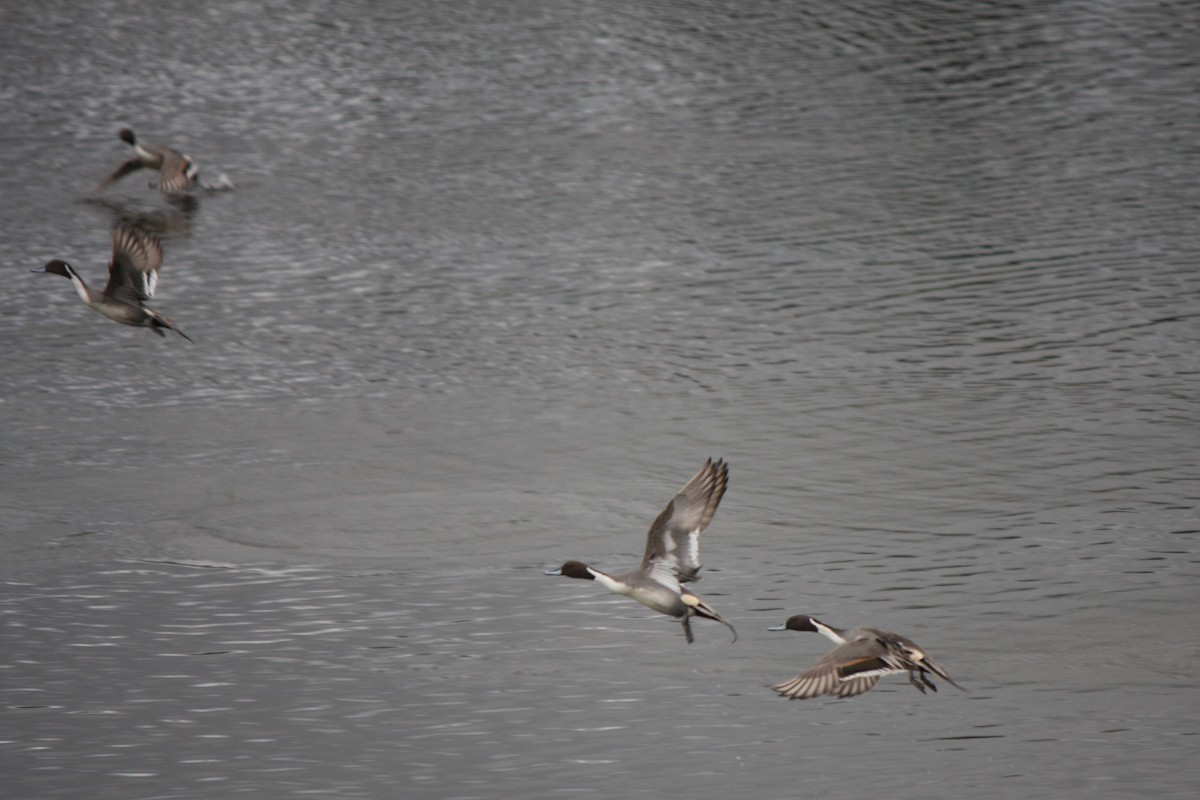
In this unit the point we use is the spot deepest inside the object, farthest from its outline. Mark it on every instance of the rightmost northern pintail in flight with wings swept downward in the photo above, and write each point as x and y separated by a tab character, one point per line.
863	655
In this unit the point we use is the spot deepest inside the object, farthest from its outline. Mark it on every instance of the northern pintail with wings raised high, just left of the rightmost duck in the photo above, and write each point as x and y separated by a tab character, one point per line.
673	554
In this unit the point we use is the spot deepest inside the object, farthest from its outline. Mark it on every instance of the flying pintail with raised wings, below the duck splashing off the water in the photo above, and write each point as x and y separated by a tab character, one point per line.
133	278
